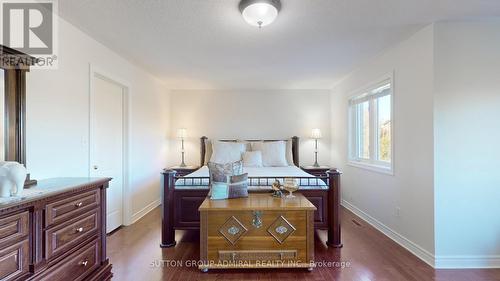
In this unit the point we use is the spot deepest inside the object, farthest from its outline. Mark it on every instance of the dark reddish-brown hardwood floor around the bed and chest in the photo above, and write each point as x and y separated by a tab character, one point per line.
367	255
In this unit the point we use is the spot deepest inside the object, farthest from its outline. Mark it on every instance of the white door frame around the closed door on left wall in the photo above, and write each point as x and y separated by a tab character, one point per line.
98	72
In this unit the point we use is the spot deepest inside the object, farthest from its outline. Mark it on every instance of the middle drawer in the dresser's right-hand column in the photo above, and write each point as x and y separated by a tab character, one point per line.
61	238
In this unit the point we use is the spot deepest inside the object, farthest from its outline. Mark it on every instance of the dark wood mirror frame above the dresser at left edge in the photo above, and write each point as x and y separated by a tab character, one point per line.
15	65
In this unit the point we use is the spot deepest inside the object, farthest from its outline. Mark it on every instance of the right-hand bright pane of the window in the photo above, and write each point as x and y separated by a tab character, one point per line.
384	128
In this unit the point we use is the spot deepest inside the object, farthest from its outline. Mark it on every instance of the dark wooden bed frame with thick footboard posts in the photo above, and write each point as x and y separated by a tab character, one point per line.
179	208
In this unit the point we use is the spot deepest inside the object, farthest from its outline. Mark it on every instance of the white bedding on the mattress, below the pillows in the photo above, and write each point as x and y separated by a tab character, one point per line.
268	174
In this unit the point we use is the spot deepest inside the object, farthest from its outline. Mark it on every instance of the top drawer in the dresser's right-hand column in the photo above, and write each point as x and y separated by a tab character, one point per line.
65	209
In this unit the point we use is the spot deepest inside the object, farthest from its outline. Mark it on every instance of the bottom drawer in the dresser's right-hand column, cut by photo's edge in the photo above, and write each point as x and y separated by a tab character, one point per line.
77	266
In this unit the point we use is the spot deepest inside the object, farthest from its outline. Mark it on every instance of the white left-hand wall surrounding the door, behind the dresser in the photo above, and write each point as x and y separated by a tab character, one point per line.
58	116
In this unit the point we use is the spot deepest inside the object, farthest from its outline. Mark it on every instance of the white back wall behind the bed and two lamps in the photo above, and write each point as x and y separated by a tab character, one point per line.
247	114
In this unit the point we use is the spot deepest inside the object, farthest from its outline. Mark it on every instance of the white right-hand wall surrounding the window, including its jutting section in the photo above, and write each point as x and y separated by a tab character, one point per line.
447	132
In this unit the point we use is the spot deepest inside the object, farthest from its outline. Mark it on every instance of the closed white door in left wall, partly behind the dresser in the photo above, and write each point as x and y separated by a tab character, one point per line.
106	144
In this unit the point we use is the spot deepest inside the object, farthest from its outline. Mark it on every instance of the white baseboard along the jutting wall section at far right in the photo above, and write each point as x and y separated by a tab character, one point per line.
467	262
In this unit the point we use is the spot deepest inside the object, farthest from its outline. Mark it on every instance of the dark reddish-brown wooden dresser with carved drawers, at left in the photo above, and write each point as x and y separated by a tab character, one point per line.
55	231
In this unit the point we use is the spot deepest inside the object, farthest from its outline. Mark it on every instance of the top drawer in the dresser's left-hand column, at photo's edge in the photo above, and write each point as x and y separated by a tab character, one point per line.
14	227
